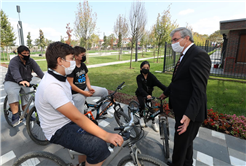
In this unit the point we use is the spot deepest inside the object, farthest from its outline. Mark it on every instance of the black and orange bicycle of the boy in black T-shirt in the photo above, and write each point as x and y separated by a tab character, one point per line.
104	104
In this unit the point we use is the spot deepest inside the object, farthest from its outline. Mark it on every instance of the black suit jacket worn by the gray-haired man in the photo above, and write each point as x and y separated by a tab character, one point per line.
187	91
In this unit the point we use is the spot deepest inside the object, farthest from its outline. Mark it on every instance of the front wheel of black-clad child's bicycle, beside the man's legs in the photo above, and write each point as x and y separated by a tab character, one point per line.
164	134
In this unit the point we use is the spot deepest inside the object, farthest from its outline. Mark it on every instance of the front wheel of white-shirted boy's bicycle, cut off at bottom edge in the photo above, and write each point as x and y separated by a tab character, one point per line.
144	160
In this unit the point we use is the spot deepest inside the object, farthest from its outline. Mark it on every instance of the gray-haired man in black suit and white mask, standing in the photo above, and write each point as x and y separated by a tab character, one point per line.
187	94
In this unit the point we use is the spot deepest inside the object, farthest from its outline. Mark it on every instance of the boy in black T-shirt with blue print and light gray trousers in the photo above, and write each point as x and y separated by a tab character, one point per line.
80	82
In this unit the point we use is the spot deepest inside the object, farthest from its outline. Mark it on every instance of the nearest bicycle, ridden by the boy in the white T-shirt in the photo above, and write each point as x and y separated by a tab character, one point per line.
134	158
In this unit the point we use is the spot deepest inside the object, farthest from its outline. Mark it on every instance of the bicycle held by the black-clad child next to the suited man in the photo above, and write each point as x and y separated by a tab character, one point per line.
149	114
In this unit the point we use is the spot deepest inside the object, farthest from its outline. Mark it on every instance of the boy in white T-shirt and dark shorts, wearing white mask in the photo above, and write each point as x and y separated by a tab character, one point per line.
61	121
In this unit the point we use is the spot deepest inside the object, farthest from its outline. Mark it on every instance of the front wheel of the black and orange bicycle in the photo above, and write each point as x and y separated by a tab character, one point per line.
122	119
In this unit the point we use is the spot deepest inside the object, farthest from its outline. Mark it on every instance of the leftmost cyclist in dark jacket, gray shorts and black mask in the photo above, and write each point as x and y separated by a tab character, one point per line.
19	73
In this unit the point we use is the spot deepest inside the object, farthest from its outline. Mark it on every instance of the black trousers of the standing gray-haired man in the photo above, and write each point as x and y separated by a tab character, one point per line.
183	144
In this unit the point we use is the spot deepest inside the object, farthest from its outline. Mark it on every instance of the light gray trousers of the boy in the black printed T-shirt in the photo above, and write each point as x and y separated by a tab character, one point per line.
79	99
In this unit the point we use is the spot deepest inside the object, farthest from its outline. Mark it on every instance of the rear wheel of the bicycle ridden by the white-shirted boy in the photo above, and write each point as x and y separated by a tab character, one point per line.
39	158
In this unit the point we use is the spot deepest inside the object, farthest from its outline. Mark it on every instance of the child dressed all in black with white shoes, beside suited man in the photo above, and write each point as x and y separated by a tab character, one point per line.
146	82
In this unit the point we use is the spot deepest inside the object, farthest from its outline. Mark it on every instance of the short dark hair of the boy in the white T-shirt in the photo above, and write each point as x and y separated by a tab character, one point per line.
56	50
